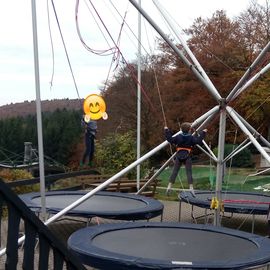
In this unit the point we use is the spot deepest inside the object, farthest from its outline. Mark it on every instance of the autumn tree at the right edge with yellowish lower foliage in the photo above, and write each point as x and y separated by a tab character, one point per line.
254	103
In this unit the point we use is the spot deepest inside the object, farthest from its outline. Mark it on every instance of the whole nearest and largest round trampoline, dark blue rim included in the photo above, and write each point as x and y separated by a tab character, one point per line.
160	245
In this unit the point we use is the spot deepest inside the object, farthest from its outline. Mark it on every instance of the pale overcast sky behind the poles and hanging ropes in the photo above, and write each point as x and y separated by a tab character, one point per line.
89	70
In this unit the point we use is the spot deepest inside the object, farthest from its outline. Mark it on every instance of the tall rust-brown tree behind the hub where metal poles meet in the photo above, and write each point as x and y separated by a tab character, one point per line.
214	42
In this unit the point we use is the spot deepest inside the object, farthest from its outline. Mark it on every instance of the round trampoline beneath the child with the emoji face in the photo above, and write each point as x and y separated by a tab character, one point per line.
112	205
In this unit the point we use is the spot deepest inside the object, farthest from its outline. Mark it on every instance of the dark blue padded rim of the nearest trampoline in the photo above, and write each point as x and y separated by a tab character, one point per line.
98	257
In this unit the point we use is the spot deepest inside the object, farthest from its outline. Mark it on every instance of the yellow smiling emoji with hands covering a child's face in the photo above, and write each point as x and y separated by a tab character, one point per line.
94	107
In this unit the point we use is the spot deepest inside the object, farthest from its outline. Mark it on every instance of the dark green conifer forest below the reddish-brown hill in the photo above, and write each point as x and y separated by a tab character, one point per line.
61	133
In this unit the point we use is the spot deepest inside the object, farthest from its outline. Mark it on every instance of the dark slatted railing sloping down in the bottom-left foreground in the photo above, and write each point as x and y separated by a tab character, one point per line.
50	253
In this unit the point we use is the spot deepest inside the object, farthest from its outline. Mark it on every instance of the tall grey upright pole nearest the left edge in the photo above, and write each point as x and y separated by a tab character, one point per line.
38	111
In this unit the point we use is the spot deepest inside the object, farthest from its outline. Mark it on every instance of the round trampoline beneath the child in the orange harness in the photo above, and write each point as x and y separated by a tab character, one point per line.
234	202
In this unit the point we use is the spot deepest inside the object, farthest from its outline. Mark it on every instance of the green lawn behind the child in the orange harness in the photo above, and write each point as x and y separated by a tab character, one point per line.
236	179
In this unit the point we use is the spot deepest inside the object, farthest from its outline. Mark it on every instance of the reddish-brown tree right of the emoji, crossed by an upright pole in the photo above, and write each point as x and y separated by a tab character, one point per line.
121	97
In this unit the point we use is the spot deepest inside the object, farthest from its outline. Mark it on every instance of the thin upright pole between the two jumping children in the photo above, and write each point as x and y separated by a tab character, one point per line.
139	100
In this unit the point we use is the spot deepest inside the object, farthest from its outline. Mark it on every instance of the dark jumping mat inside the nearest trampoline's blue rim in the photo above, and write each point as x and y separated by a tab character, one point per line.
175	244
